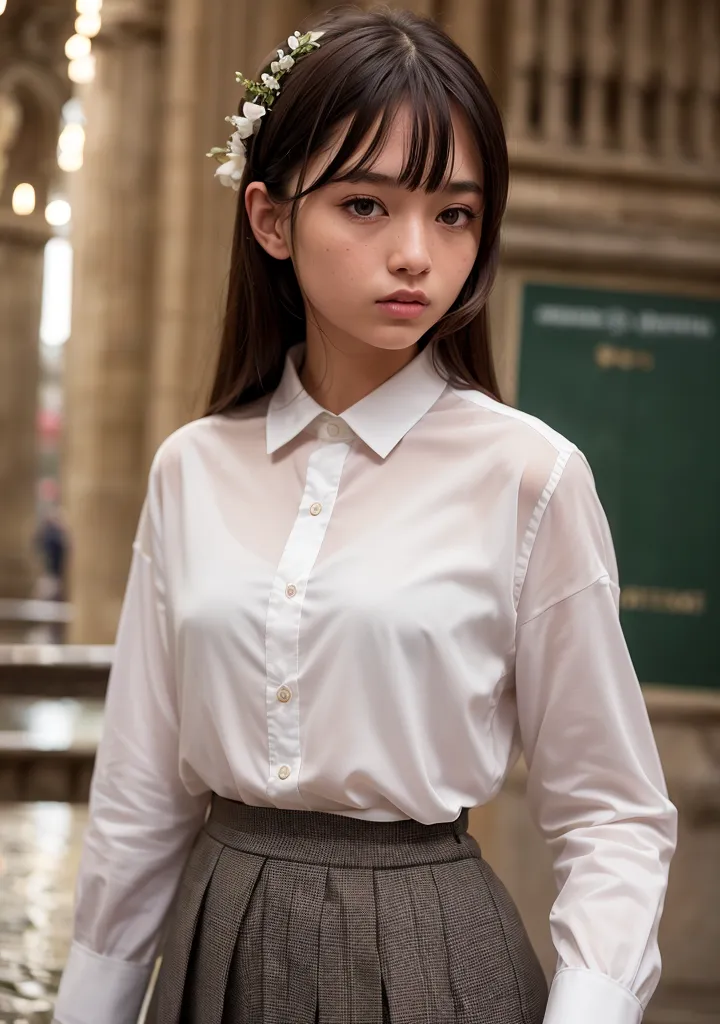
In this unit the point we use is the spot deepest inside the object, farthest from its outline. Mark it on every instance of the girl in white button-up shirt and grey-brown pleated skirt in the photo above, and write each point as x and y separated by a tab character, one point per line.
361	586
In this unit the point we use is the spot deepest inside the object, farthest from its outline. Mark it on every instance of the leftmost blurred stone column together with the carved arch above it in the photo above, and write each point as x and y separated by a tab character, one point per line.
31	97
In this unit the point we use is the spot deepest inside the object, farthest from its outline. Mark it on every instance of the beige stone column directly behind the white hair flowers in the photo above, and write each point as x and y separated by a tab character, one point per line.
207	44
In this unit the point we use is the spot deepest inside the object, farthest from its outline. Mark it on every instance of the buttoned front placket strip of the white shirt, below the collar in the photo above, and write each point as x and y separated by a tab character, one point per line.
285	613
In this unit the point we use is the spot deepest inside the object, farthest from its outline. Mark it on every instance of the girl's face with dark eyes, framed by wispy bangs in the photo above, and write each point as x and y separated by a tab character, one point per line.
360	244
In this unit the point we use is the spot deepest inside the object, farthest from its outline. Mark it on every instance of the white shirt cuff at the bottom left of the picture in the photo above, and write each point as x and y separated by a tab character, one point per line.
99	989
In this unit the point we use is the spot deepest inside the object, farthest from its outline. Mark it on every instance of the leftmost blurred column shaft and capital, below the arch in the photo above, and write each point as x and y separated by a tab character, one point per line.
22	244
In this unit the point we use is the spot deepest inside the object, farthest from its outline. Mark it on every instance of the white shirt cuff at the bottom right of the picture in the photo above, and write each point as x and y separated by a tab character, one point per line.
579	995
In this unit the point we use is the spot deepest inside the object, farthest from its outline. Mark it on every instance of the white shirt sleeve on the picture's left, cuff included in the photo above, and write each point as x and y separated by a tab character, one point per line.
143	818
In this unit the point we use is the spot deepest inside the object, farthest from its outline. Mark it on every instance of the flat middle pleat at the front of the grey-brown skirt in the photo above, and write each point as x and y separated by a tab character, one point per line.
350	985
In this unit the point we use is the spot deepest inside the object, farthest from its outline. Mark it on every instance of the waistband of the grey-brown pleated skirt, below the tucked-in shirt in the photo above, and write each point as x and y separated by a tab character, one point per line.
320	838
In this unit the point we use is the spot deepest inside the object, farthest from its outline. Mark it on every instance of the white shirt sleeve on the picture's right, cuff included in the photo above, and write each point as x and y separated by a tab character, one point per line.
597	789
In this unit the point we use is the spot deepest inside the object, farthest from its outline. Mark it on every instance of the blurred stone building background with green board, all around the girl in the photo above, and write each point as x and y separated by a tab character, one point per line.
114	251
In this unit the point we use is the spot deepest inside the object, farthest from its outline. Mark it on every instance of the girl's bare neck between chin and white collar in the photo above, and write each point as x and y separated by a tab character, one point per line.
340	377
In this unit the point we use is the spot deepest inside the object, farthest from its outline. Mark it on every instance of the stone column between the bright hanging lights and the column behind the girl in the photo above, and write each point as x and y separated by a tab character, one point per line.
115	214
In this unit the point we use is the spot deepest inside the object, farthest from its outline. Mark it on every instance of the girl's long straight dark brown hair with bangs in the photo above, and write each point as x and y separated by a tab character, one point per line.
369	64
